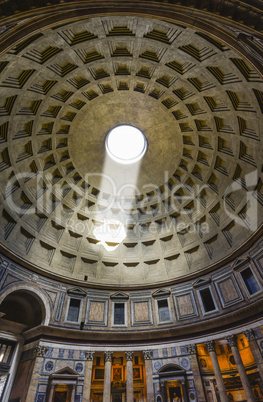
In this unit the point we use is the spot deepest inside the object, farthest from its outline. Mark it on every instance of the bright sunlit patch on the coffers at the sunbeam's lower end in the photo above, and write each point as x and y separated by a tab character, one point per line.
110	234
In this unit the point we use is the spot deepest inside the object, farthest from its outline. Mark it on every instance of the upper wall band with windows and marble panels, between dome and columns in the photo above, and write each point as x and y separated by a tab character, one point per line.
206	303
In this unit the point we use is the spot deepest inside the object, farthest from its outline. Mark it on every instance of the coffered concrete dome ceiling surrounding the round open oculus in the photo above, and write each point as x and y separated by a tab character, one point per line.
193	199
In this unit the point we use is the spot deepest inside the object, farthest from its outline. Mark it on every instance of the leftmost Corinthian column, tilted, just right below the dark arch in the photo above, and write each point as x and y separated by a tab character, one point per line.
39	354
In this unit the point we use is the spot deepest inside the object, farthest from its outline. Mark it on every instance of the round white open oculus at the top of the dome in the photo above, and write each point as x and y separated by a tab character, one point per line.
126	144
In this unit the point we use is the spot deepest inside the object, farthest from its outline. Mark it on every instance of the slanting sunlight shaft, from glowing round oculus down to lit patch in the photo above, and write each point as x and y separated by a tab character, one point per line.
119	179
